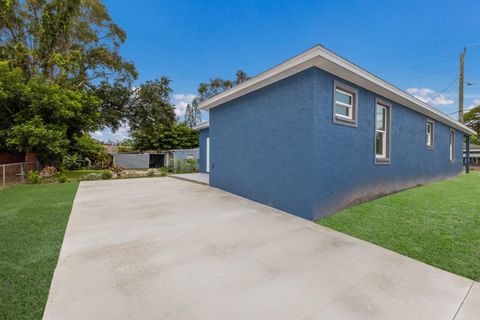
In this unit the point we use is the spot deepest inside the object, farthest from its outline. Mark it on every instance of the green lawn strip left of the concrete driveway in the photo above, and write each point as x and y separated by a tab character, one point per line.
33	219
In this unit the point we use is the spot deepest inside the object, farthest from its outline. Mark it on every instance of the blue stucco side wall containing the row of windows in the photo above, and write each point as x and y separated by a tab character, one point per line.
346	171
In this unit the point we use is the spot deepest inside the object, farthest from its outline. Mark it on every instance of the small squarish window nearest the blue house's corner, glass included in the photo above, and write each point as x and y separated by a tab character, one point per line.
344	104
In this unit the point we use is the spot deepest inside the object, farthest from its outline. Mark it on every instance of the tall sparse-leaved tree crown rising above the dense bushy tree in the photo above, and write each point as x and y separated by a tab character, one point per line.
70	42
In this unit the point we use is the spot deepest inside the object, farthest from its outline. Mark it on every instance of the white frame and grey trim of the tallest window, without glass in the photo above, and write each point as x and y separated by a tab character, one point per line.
383	158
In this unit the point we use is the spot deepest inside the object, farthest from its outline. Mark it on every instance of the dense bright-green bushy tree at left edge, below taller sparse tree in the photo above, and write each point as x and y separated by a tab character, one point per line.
41	116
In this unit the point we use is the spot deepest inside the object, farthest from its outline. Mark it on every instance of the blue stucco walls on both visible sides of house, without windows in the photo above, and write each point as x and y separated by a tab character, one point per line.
279	146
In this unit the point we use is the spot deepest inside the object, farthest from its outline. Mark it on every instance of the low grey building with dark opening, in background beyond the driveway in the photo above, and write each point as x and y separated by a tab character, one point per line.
153	159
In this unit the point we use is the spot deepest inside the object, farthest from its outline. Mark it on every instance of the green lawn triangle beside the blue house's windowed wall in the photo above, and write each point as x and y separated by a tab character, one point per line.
438	224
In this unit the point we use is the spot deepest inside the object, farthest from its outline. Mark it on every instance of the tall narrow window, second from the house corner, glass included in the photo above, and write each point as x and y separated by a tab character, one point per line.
382	132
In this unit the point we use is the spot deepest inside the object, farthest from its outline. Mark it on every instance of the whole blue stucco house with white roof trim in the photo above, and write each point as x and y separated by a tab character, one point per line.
317	133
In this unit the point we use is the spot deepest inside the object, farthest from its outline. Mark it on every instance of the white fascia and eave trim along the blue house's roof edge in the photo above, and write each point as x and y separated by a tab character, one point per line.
325	59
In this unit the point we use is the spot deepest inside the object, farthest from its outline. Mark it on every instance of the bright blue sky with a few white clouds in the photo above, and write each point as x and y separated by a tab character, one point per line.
414	45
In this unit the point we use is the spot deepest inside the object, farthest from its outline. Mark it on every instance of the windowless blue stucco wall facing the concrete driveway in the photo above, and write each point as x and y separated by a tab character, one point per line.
261	145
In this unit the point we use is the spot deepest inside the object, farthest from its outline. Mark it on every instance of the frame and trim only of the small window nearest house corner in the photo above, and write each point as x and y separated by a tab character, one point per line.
351	119
